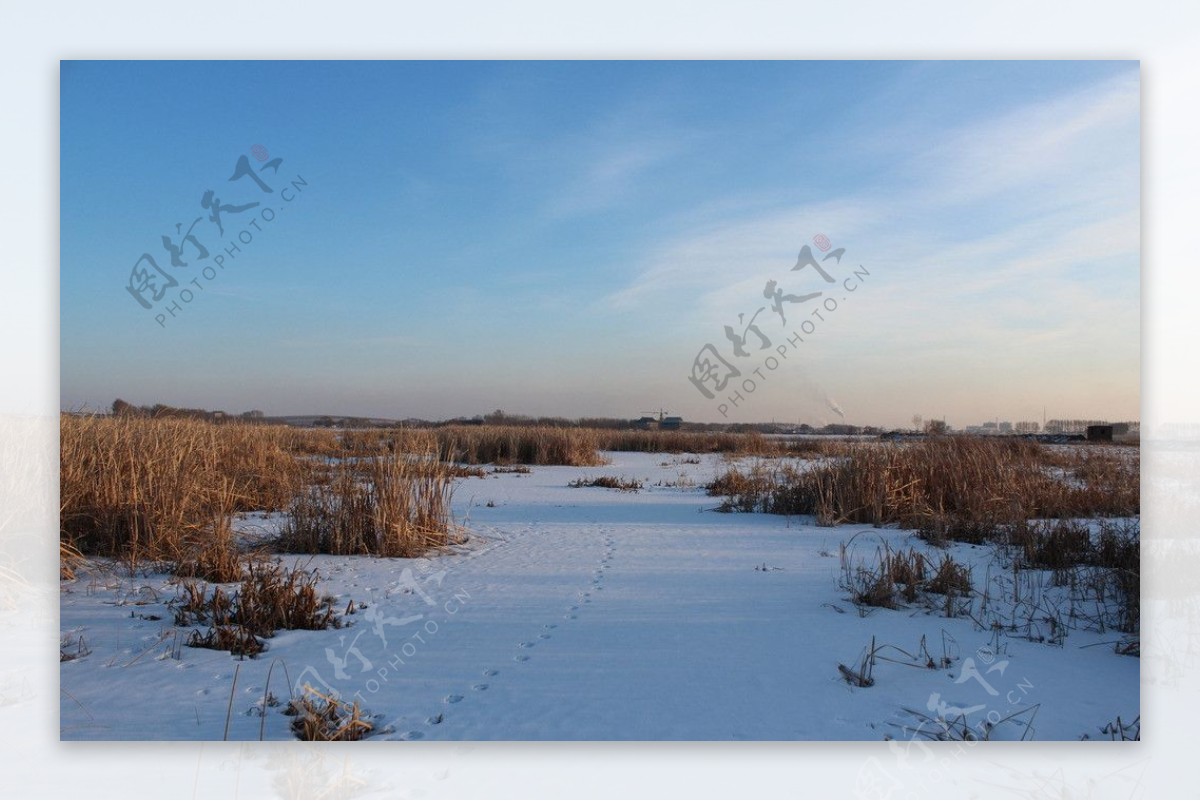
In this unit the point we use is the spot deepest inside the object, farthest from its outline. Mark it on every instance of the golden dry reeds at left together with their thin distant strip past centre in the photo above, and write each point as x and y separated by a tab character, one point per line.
164	491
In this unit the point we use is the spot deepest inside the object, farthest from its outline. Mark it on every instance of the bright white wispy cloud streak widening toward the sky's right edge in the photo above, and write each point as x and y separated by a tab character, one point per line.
1048	190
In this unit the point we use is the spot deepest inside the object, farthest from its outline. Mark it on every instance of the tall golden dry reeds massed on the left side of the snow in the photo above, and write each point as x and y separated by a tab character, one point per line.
166	490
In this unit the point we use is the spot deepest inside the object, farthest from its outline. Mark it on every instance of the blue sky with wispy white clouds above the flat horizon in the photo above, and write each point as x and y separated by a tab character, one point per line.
437	239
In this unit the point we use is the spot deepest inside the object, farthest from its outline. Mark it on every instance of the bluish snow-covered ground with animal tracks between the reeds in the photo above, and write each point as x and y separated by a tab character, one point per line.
595	615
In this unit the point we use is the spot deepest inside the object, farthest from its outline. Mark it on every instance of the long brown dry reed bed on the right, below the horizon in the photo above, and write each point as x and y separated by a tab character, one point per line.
950	487
